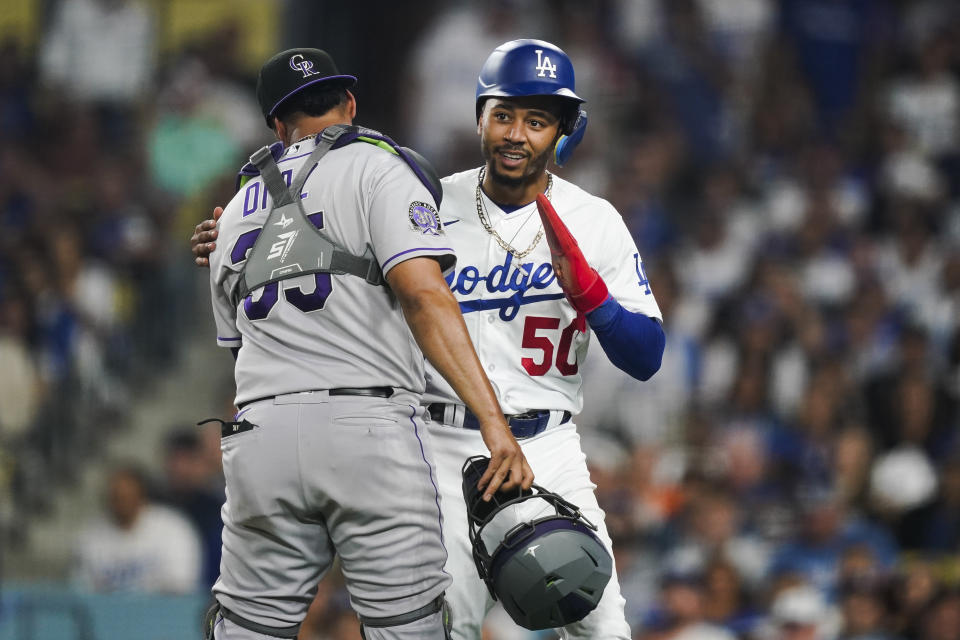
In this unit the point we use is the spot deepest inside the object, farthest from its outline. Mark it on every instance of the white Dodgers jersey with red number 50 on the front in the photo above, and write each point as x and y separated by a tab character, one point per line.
522	326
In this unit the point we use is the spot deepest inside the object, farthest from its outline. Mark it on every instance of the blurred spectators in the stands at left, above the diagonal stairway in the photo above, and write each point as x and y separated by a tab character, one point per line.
108	153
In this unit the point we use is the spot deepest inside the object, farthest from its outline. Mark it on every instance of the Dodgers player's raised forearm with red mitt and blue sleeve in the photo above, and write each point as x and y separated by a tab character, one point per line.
633	342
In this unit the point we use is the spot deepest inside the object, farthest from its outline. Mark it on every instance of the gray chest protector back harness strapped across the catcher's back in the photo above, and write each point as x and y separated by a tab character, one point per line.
289	245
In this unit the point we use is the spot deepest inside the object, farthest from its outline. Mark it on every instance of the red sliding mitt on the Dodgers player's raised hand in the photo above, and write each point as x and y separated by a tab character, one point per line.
584	287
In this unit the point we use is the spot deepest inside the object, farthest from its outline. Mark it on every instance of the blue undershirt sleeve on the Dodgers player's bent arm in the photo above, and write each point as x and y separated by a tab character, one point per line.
632	341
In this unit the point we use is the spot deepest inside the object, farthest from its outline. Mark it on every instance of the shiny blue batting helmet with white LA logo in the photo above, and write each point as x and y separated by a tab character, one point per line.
535	68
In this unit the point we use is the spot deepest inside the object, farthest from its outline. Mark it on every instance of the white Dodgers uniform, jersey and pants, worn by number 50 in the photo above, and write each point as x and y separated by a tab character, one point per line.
526	335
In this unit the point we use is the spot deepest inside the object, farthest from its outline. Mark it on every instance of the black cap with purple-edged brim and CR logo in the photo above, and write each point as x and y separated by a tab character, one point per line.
292	70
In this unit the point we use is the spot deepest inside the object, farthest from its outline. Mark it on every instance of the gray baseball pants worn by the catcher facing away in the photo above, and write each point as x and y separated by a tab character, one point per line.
322	475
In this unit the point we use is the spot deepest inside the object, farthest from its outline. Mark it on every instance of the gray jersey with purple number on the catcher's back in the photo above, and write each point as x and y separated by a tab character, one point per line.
324	331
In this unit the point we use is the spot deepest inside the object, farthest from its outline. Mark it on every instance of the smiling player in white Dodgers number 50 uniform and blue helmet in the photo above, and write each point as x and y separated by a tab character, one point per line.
530	328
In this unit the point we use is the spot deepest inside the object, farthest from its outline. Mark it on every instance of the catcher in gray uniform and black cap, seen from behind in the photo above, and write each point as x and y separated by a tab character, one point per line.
329	454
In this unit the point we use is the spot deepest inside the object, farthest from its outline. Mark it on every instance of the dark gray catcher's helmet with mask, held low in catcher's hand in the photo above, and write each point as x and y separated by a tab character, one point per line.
548	570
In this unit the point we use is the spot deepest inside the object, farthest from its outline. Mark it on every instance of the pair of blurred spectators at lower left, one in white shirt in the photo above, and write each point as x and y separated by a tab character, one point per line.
157	534
